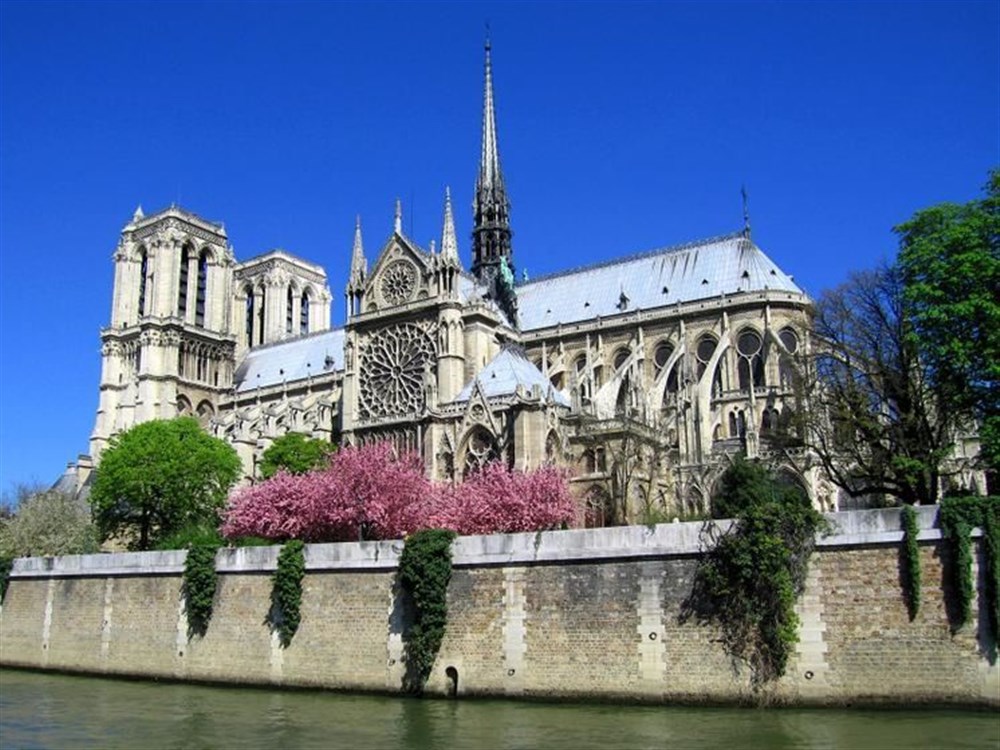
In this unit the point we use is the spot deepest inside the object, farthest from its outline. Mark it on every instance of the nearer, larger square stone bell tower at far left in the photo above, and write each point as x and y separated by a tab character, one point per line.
168	350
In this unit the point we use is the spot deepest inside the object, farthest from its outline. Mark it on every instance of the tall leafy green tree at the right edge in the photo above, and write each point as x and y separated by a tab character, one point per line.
949	260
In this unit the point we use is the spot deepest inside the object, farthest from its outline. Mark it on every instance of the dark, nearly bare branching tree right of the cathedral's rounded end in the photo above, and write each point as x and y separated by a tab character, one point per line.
872	416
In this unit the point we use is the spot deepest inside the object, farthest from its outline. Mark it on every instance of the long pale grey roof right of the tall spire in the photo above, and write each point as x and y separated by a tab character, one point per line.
701	270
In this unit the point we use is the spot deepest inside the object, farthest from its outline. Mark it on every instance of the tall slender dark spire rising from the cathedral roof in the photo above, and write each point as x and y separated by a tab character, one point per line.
492	256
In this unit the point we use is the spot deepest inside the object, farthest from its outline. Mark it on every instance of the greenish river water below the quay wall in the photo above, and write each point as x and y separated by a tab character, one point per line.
64	712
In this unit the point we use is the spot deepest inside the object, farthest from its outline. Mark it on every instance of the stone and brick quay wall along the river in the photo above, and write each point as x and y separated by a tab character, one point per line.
580	614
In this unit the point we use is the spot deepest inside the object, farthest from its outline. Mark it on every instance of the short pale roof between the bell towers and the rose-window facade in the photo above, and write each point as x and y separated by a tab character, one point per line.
294	359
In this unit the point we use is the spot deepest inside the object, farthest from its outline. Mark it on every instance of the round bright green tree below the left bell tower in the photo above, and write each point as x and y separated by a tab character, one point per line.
160	477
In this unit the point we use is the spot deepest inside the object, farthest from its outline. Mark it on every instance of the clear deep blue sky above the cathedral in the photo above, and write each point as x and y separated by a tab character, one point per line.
622	127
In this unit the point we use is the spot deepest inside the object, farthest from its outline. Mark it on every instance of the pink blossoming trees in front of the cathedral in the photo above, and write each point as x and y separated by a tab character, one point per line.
369	493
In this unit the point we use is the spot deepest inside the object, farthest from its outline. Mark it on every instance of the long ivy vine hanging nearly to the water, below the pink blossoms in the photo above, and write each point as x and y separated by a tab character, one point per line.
424	573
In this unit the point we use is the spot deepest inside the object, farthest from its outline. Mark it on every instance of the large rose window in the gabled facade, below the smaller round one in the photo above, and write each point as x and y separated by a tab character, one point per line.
394	366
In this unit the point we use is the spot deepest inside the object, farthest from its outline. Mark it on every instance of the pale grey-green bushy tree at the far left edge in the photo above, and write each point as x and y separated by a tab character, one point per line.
48	522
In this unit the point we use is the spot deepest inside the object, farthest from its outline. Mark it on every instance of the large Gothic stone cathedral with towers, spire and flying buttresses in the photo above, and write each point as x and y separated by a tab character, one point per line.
641	376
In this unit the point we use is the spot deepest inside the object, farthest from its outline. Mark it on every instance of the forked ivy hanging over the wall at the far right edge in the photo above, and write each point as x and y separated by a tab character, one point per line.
957	518
